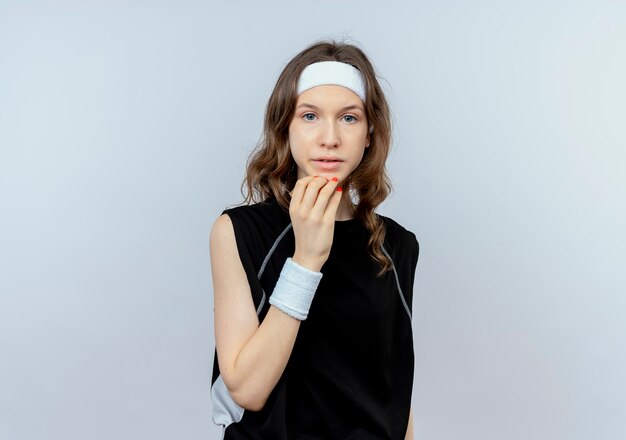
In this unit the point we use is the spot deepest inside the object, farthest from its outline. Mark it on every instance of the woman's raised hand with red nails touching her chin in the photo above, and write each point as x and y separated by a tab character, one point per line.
314	203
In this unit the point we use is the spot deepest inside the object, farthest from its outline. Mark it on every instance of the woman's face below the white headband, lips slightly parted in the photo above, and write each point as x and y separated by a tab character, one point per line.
328	133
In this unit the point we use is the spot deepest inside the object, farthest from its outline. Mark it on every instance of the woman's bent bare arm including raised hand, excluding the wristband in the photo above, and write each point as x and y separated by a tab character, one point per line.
253	356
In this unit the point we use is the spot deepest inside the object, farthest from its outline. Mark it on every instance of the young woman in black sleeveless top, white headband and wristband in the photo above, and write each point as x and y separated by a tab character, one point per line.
313	289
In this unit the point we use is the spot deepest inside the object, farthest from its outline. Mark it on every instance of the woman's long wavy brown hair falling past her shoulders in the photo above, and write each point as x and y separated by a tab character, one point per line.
271	170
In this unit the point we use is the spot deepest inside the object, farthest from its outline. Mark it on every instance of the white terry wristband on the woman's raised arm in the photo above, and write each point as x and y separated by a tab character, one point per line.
295	289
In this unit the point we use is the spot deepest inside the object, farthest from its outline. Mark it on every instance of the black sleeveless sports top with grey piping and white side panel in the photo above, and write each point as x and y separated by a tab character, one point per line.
350	374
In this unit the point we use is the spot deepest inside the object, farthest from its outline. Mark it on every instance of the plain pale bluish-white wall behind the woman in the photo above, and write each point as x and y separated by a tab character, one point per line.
124	128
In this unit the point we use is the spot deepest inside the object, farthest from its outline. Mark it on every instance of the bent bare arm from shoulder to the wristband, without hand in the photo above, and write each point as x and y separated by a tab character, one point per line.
251	356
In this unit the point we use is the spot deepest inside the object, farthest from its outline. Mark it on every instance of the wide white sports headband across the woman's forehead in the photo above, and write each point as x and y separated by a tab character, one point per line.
332	73
